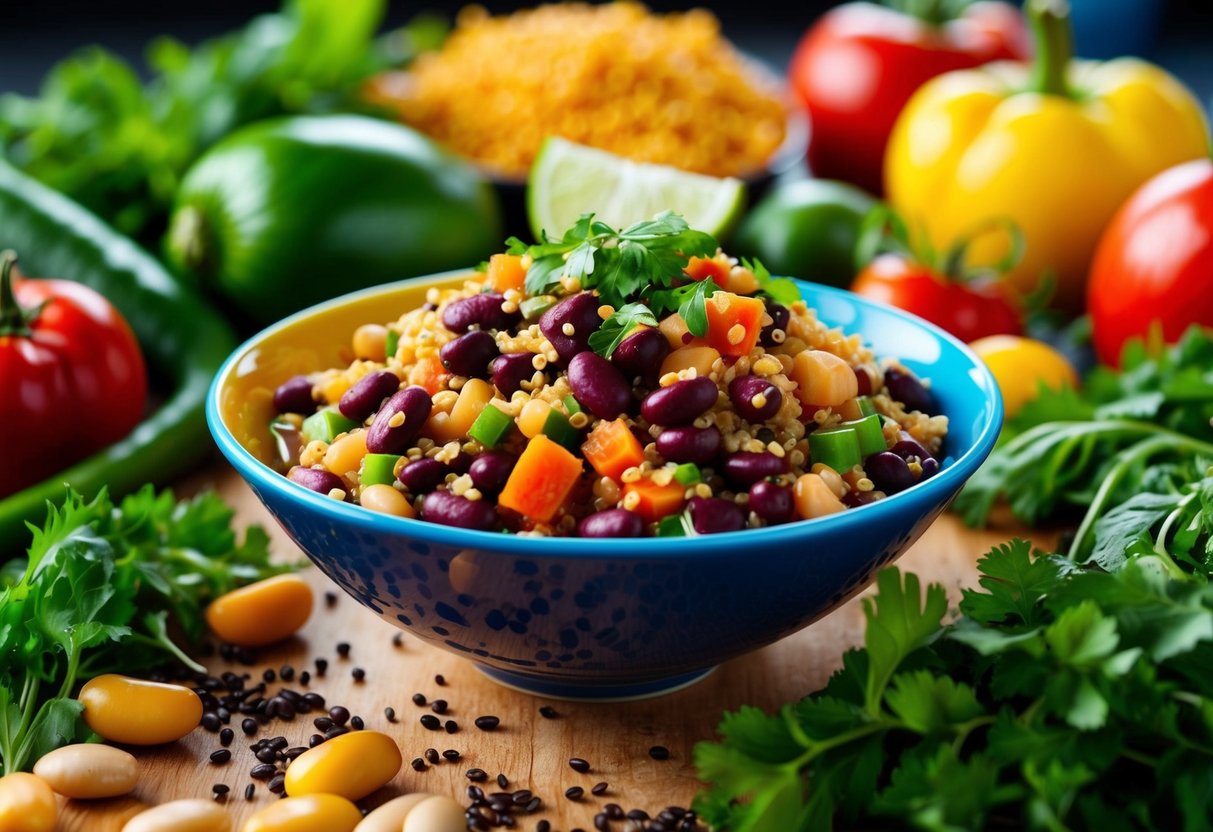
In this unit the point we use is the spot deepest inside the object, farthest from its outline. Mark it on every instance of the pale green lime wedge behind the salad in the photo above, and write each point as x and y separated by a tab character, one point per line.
570	180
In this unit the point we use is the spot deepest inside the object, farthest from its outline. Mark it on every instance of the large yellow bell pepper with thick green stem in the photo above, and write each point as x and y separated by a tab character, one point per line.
1056	147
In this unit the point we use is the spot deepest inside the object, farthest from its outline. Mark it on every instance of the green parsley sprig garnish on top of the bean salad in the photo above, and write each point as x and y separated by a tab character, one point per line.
639	271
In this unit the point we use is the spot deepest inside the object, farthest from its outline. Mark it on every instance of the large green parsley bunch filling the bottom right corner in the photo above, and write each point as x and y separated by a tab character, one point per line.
1064	699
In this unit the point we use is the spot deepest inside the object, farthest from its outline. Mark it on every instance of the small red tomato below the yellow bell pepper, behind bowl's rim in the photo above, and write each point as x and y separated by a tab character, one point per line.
970	311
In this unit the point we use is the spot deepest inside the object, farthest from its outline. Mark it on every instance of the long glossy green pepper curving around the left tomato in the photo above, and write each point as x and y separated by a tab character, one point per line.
184	340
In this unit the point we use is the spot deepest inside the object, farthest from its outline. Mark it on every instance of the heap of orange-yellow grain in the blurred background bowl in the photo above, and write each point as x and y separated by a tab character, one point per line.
665	89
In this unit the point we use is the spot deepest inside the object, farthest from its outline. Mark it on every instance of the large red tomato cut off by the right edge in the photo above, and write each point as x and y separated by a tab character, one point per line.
1154	265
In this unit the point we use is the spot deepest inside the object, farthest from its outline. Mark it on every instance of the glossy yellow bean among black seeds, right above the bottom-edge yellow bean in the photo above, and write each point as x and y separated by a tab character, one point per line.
352	766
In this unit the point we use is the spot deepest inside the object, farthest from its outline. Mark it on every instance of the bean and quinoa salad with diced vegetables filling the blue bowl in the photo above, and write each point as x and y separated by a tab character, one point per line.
611	384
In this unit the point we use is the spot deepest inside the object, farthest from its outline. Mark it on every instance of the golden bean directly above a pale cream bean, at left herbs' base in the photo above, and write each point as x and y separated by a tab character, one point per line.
138	713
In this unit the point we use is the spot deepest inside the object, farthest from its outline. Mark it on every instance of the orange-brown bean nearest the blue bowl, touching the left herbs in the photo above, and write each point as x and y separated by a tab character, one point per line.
261	613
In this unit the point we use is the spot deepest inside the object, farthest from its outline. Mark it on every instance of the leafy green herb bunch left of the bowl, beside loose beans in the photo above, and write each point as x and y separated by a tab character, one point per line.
98	594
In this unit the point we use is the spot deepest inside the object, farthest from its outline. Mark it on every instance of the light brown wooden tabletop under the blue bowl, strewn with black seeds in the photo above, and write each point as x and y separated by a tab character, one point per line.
532	751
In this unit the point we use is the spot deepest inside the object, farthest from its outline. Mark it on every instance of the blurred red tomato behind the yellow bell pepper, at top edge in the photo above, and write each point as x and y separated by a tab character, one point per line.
859	65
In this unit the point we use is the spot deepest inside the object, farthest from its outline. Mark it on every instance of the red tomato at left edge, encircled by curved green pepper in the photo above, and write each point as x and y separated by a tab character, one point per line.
72	378
